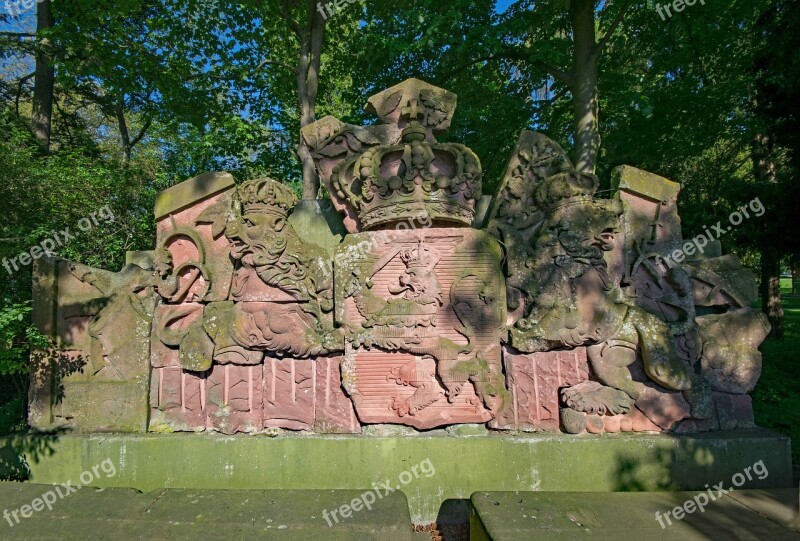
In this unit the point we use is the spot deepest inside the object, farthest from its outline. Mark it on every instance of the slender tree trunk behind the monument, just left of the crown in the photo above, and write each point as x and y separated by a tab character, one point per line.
307	88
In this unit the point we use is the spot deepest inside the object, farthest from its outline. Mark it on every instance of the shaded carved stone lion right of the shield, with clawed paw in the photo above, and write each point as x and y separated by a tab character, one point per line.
568	295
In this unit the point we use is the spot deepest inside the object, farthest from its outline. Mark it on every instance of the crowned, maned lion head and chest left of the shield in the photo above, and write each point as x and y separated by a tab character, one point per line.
277	266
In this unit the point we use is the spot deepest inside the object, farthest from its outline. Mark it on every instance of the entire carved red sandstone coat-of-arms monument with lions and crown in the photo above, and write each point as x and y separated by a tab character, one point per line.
414	300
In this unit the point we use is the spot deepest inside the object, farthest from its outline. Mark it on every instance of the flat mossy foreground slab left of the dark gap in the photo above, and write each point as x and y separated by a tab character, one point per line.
91	513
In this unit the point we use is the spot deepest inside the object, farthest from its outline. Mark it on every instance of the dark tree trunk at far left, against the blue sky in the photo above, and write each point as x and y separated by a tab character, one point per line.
43	89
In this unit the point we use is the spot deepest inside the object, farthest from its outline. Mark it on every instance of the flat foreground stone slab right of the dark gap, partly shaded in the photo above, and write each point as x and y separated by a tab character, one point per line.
512	516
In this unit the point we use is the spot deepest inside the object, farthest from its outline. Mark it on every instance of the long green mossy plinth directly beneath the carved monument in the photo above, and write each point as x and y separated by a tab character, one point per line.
447	467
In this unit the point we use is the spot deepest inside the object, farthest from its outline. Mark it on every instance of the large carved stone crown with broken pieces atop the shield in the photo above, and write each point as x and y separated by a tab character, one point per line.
391	182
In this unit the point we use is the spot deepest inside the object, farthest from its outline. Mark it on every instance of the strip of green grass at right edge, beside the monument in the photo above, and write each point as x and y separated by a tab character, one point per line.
776	399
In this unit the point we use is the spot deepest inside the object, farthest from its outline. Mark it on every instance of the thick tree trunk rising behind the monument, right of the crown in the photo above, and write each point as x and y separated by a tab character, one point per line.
585	100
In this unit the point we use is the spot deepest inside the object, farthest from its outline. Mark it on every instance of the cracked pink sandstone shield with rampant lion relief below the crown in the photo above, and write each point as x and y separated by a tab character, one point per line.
422	307
